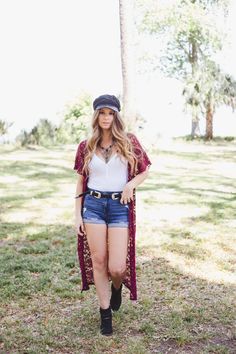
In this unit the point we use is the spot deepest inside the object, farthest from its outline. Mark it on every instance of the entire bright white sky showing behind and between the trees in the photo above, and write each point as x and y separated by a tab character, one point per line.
53	50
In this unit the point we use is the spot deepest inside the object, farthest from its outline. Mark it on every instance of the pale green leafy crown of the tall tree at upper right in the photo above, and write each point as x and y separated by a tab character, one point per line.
183	24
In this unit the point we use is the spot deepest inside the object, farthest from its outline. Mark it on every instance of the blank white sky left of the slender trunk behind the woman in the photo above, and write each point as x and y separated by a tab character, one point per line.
51	51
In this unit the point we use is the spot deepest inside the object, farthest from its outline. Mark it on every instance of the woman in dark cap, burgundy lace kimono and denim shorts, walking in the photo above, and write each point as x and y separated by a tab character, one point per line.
111	164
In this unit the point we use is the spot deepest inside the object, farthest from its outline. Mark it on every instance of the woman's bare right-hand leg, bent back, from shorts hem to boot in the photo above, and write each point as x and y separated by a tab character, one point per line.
118	246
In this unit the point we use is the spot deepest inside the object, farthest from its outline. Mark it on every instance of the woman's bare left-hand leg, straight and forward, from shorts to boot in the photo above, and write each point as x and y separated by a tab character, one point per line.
97	240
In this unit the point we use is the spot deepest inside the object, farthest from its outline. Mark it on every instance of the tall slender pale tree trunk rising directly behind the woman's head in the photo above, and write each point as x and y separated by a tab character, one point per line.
126	8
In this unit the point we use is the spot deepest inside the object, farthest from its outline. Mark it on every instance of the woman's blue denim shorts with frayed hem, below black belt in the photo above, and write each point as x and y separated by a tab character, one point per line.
105	211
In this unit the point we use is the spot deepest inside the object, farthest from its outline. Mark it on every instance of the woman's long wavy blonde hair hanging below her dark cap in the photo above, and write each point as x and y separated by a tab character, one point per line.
122	142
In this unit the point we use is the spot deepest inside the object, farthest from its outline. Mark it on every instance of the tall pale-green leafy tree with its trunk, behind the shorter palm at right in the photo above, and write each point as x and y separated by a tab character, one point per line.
192	39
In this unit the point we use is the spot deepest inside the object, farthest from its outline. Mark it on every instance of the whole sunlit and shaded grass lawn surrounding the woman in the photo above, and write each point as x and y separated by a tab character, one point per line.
186	262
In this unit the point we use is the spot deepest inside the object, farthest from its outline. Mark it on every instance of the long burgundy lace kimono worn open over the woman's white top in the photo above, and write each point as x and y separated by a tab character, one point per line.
83	248
